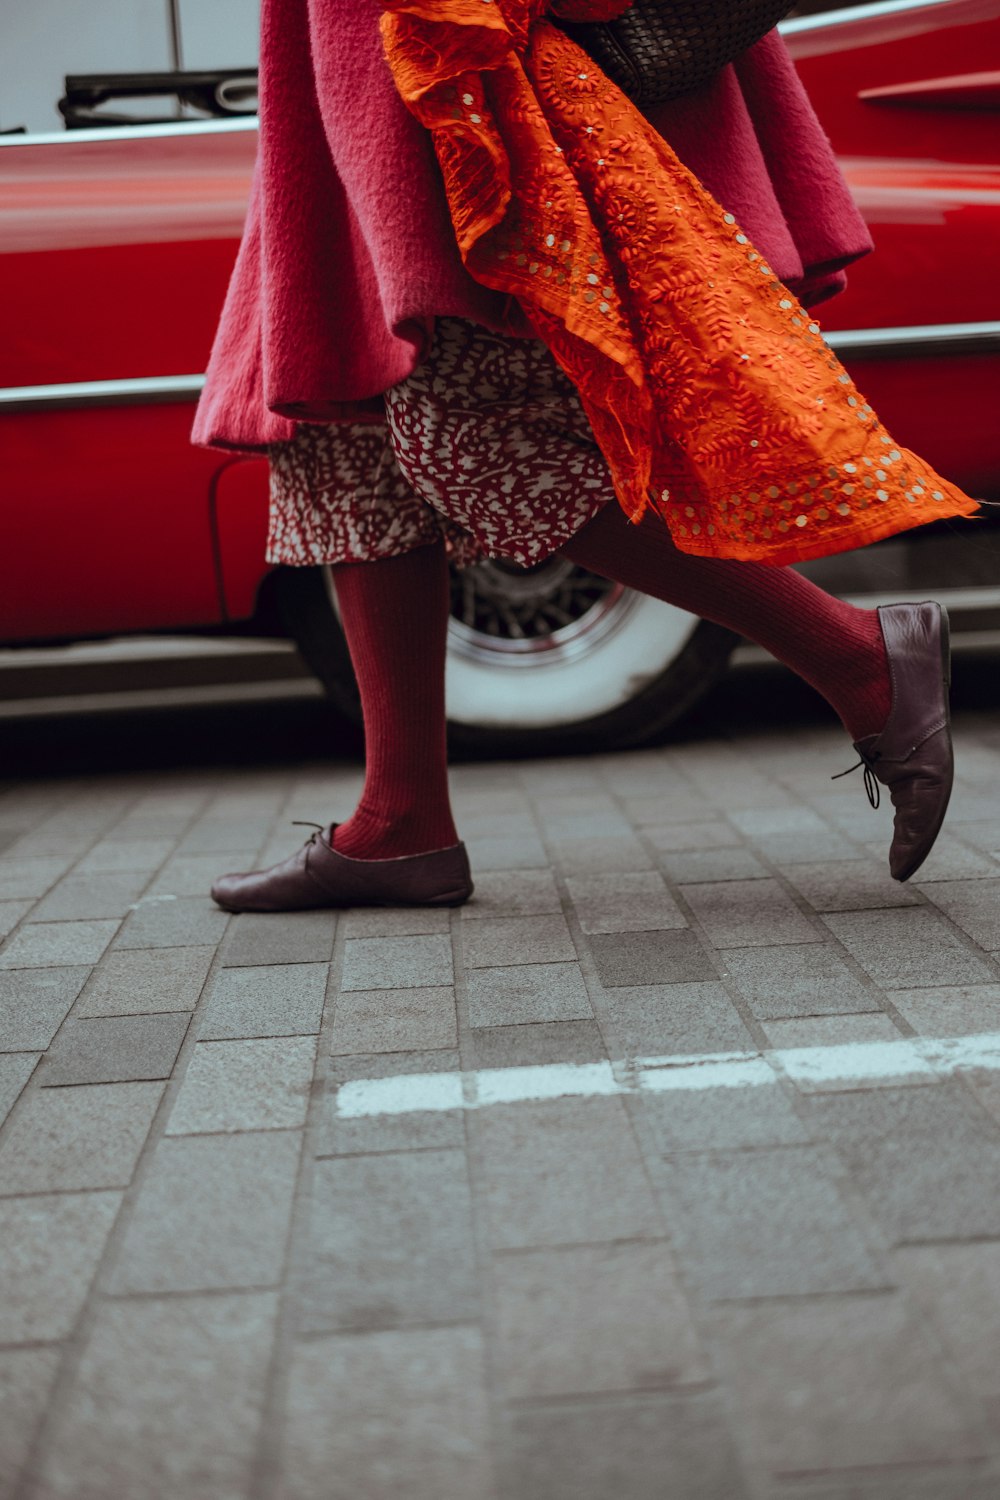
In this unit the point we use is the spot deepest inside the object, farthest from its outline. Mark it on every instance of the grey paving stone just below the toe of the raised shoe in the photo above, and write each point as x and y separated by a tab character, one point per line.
908	950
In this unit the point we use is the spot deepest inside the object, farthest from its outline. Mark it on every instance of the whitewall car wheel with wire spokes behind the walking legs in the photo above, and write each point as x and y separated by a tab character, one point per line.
542	661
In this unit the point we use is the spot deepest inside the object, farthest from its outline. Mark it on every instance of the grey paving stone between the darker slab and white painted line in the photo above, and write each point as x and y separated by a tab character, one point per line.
659	1021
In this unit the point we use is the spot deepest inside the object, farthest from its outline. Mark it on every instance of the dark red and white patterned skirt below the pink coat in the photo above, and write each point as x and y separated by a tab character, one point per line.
487	445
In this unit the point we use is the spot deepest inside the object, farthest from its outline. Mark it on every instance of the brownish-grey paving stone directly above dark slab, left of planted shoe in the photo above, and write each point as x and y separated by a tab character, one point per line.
142	982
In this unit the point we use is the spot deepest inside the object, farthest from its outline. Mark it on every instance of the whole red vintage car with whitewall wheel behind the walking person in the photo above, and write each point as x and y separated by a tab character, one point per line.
118	244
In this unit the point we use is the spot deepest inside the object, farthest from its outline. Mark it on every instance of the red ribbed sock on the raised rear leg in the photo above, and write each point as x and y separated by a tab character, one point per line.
836	647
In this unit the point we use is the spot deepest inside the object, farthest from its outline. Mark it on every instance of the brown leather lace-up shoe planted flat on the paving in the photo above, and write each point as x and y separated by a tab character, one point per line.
319	877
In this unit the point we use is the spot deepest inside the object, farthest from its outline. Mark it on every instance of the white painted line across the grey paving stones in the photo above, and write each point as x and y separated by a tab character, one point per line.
852	1063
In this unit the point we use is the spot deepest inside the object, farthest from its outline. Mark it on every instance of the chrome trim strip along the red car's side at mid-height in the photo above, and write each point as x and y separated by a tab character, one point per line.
851	344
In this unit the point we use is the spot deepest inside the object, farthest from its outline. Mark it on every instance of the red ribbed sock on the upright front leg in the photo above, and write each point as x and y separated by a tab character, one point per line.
395	617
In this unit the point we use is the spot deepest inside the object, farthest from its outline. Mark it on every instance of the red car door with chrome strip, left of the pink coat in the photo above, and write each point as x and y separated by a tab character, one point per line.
116	247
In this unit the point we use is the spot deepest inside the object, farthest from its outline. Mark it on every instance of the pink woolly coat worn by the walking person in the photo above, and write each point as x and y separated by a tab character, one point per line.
349	251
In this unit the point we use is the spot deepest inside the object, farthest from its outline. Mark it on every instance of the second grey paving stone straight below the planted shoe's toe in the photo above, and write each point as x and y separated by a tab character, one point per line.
266	1001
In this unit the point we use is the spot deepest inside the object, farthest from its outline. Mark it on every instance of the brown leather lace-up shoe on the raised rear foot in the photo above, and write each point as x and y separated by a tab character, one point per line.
914	754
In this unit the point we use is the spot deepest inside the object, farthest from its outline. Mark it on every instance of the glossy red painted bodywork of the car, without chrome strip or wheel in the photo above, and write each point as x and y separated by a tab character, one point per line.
116	253
